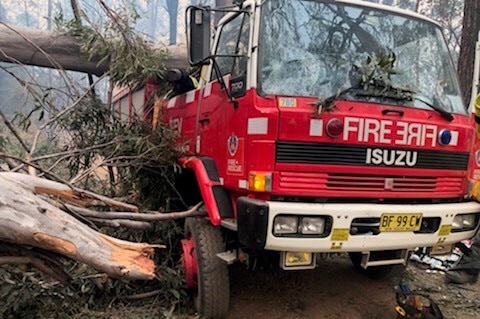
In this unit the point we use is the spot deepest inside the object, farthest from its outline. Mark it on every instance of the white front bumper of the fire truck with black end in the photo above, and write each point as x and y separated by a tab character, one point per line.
255	226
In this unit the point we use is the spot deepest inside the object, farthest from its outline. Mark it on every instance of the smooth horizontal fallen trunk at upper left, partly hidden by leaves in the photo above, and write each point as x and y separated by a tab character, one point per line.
53	49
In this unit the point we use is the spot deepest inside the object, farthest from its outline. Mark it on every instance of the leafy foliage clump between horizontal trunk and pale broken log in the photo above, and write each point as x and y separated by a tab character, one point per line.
144	159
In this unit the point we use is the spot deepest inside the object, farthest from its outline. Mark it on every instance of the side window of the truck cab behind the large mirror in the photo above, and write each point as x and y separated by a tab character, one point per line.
233	41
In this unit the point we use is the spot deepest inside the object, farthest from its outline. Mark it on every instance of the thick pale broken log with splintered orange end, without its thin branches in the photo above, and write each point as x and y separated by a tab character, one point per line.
27	219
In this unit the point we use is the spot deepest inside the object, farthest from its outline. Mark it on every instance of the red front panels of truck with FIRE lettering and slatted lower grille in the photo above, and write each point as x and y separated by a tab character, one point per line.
416	129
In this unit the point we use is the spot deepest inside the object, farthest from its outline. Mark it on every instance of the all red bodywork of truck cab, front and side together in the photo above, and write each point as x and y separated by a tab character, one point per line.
259	123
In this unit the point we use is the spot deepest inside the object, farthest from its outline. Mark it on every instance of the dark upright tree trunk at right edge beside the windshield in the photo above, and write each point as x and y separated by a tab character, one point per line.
471	27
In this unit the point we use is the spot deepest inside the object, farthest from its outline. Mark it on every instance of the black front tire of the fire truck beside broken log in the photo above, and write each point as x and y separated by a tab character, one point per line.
212	296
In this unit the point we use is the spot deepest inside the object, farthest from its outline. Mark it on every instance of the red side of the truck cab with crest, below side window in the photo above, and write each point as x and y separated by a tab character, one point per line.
218	120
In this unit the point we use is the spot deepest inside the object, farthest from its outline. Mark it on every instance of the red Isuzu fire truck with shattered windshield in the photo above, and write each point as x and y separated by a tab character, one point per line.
320	127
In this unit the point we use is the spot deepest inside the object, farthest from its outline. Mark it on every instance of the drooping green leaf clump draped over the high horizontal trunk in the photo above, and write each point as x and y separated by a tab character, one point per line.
130	58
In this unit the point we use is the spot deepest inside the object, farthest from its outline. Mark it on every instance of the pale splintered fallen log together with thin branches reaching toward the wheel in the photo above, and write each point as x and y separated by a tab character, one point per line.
31	215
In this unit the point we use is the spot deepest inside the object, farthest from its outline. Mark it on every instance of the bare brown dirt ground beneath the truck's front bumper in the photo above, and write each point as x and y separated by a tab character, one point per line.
335	290
